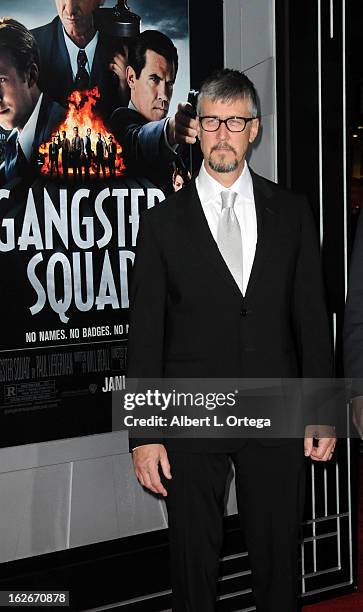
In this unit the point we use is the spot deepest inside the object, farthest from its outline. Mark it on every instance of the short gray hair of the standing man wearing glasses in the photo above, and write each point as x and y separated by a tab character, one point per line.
227	85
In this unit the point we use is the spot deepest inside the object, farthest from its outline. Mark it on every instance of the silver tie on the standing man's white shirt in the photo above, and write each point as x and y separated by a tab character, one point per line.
229	238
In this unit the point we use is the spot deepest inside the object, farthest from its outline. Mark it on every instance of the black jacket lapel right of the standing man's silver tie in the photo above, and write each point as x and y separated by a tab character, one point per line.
267	216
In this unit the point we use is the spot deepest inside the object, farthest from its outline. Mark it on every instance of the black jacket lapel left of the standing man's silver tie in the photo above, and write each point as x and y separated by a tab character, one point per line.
198	232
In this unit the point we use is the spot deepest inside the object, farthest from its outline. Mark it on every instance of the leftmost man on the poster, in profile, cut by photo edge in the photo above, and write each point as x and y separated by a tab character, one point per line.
24	109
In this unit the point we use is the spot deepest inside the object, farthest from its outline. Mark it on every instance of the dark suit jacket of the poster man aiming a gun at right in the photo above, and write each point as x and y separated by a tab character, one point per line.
145	152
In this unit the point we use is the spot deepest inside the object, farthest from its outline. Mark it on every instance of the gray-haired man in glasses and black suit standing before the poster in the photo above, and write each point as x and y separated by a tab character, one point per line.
227	284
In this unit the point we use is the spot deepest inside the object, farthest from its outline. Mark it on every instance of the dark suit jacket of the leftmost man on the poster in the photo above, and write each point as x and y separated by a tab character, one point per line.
51	116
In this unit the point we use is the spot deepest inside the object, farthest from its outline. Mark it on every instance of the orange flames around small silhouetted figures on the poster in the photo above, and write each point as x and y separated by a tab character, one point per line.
81	113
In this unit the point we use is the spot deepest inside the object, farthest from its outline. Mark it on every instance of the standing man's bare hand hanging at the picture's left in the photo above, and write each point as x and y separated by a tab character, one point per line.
146	460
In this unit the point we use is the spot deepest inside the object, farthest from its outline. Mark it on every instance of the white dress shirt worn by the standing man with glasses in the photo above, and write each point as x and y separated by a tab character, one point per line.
209	191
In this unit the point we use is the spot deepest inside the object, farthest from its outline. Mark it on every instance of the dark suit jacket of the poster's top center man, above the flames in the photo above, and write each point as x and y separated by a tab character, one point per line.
56	77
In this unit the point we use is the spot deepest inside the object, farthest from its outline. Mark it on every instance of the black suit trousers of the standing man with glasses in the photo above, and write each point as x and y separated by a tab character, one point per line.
270	492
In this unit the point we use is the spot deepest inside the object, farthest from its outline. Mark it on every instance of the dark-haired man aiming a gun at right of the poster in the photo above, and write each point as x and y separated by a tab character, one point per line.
149	147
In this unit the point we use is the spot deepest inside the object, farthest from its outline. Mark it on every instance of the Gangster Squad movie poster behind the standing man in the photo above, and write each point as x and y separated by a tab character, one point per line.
84	146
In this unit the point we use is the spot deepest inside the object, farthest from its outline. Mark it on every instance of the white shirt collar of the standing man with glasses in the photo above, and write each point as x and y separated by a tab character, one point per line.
209	189
